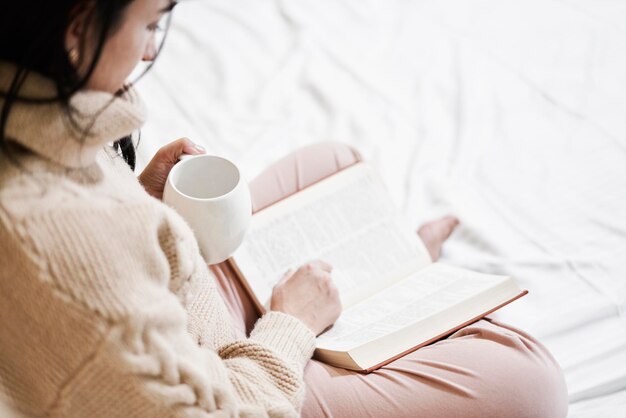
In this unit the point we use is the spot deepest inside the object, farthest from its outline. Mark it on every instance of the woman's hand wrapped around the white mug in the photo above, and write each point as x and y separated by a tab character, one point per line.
153	177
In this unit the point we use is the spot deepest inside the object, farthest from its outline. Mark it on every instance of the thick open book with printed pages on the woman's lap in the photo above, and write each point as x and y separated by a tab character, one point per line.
395	298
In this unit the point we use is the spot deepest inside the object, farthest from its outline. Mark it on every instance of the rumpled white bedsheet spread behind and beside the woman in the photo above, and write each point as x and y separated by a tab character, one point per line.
508	114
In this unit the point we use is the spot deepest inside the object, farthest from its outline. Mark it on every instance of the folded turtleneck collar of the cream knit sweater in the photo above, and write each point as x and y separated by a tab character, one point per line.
71	139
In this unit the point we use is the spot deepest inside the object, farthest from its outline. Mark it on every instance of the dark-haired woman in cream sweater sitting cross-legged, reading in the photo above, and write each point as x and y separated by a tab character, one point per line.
107	308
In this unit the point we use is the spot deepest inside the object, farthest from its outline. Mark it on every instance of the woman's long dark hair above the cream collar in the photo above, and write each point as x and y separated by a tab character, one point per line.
32	36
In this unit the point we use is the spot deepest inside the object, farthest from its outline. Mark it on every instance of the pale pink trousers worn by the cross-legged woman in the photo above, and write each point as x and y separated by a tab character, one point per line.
486	369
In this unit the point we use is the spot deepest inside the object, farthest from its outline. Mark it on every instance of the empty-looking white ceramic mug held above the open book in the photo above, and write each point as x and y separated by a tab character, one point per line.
210	193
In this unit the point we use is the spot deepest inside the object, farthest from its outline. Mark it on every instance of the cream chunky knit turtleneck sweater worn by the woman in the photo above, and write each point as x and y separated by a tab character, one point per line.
106	306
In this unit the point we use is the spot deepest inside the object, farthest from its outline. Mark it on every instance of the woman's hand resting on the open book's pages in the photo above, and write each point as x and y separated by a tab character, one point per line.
309	295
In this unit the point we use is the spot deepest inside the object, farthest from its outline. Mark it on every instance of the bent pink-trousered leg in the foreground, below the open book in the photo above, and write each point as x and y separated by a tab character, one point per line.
485	370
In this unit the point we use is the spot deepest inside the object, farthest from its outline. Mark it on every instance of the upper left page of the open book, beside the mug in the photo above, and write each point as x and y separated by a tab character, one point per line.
348	221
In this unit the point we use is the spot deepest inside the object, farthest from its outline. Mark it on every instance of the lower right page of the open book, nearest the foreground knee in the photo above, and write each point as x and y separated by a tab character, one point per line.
422	295
